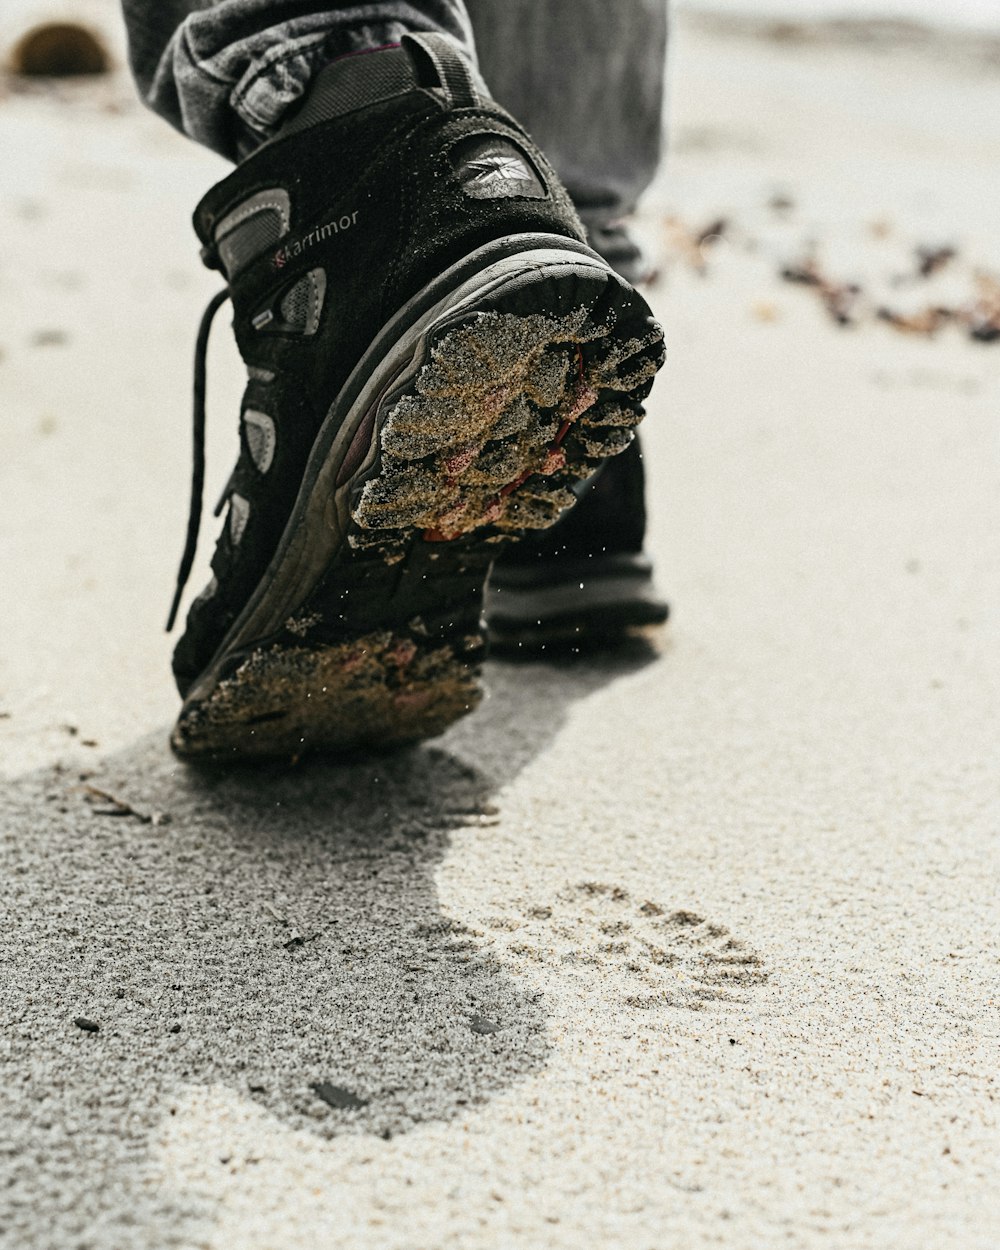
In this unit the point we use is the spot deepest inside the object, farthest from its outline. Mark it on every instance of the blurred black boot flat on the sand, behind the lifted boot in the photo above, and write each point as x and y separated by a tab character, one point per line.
586	583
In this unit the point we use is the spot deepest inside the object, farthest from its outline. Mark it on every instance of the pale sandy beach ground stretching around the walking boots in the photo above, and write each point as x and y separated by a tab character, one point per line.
688	951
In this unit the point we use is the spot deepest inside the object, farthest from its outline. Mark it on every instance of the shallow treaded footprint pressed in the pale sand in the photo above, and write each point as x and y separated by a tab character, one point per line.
644	954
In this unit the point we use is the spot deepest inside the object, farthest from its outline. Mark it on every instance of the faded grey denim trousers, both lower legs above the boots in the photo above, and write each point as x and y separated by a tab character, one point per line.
584	77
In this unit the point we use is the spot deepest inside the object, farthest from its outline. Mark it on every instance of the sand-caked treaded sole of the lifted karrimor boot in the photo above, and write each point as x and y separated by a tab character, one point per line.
512	377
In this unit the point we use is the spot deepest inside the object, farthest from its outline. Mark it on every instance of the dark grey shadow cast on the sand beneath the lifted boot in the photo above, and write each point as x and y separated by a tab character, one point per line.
282	931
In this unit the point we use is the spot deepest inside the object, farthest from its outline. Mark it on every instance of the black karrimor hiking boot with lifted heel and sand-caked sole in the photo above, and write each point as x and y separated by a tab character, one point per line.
436	359
